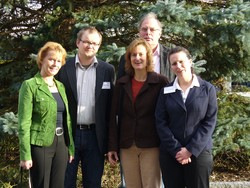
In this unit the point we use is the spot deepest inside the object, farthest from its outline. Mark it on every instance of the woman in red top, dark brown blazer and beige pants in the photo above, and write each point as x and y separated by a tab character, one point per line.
134	135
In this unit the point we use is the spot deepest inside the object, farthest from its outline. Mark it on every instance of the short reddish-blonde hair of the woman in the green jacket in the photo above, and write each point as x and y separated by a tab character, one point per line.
49	46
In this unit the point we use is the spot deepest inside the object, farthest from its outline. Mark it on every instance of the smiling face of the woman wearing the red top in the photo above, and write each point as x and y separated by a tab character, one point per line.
138	58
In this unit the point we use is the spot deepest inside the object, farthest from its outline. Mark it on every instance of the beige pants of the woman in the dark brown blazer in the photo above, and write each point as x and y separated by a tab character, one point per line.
141	167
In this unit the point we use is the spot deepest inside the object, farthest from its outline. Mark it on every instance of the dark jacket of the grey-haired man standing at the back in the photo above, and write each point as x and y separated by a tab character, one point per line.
165	67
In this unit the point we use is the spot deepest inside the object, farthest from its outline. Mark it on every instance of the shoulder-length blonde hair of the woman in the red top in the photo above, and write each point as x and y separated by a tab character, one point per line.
128	66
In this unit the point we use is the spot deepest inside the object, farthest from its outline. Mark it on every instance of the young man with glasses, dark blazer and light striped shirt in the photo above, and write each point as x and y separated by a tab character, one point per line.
89	84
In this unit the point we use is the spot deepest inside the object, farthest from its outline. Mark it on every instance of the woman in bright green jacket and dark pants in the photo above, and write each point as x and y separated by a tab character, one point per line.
45	133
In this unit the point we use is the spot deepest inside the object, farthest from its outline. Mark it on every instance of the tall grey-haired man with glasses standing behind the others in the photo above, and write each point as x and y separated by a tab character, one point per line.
150	28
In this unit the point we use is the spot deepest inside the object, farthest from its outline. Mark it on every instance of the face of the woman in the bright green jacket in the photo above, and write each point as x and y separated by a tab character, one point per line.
51	63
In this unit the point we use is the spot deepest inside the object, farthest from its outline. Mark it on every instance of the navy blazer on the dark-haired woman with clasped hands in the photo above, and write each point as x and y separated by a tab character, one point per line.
190	124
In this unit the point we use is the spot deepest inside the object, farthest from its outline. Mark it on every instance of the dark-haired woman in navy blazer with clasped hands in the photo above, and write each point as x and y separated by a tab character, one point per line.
186	115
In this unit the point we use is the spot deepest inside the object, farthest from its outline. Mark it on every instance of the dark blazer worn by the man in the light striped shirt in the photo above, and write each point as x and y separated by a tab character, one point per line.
104	73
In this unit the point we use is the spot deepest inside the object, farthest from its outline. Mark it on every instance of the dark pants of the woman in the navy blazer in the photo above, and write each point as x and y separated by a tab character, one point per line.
192	175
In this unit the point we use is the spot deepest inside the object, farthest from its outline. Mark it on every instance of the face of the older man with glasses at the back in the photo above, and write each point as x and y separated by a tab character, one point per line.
150	31
